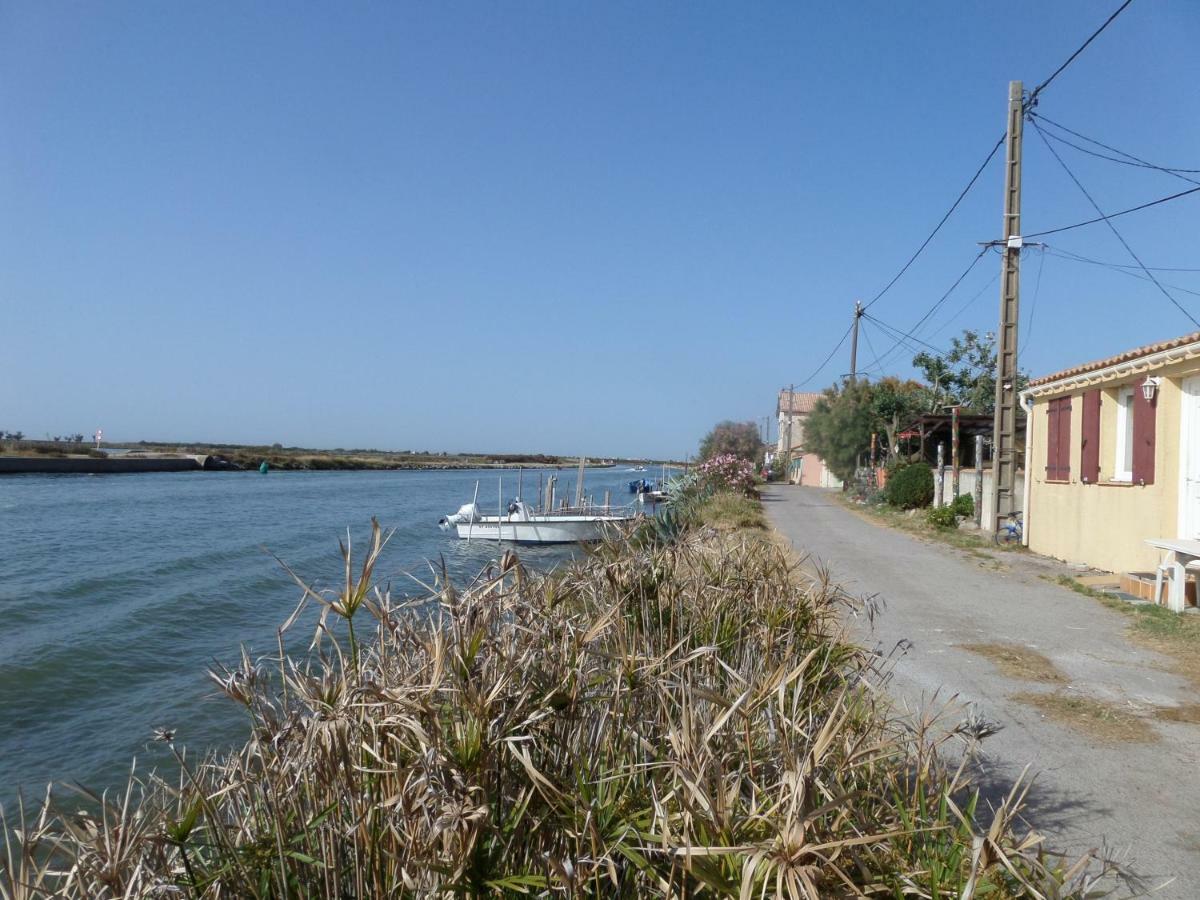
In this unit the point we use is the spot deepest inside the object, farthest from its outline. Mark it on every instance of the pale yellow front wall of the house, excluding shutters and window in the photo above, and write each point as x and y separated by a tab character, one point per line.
1106	525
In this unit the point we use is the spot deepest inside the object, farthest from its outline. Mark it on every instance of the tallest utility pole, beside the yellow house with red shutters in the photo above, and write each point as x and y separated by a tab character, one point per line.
1004	481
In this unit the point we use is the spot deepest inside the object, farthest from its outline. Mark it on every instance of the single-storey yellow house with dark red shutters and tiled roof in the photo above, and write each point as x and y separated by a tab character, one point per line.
1114	457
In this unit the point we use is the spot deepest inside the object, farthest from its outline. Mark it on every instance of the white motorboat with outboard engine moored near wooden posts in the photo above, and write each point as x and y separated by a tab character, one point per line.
523	525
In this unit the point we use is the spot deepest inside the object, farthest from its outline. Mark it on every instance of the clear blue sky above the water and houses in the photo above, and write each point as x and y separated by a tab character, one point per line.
553	227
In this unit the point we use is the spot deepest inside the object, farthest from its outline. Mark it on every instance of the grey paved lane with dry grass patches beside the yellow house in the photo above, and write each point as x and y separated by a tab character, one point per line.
1073	695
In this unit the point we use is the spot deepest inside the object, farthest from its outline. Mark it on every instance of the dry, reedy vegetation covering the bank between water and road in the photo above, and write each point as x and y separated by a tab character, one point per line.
675	716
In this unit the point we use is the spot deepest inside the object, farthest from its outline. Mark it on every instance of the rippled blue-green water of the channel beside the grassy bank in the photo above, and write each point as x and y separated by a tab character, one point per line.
118	591
